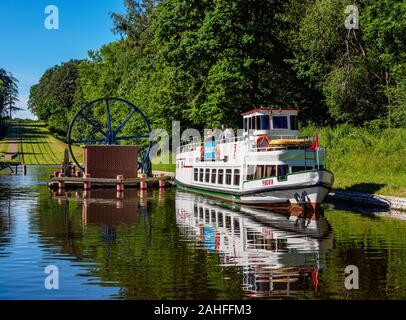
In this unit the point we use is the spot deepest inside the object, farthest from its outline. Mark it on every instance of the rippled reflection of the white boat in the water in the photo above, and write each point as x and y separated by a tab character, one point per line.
278	254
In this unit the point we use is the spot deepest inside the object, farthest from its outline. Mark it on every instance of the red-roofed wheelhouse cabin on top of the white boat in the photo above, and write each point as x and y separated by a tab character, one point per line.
272	122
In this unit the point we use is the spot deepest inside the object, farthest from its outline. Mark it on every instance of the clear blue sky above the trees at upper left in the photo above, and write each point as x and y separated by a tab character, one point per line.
28	48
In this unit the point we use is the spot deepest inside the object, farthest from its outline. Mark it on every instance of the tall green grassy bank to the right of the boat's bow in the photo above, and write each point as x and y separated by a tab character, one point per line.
366	160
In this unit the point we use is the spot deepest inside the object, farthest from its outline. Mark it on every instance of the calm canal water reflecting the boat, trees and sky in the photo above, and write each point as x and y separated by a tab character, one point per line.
175	245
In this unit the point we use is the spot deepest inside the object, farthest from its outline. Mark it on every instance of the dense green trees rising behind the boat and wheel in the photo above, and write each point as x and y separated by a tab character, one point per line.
202	62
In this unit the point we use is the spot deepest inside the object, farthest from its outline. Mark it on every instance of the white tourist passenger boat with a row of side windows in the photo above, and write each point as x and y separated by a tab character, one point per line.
267	165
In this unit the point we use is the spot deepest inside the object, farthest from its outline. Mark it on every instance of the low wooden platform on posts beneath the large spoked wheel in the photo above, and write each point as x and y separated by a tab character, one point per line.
77	183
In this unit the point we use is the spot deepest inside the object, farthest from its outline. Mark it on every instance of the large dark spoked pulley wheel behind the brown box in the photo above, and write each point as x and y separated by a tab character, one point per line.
105	122
